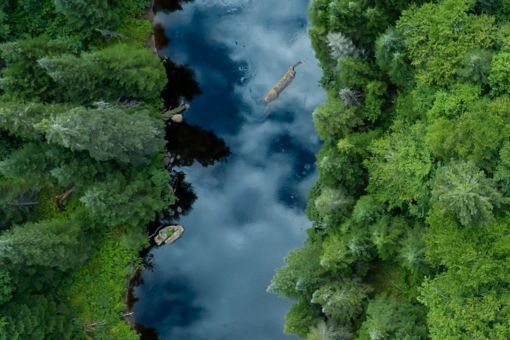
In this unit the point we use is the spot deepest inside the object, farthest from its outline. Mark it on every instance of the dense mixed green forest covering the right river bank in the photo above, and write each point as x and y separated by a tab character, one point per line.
411	233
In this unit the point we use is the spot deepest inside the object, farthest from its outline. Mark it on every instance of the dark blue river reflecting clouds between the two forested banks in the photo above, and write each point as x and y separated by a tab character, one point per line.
249	210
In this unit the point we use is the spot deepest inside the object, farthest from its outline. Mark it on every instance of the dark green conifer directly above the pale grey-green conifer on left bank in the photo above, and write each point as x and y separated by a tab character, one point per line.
120	73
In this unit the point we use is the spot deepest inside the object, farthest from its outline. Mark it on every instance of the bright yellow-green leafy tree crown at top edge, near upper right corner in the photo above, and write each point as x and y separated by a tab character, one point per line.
450	32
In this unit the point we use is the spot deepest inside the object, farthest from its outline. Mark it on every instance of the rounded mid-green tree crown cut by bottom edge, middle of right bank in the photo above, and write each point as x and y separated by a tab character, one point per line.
389	318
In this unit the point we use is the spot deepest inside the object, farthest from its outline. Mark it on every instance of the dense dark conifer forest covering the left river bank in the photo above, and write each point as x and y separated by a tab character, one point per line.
81	163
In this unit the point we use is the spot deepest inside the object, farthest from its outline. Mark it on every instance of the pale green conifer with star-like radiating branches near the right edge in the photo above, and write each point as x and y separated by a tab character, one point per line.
462	190
